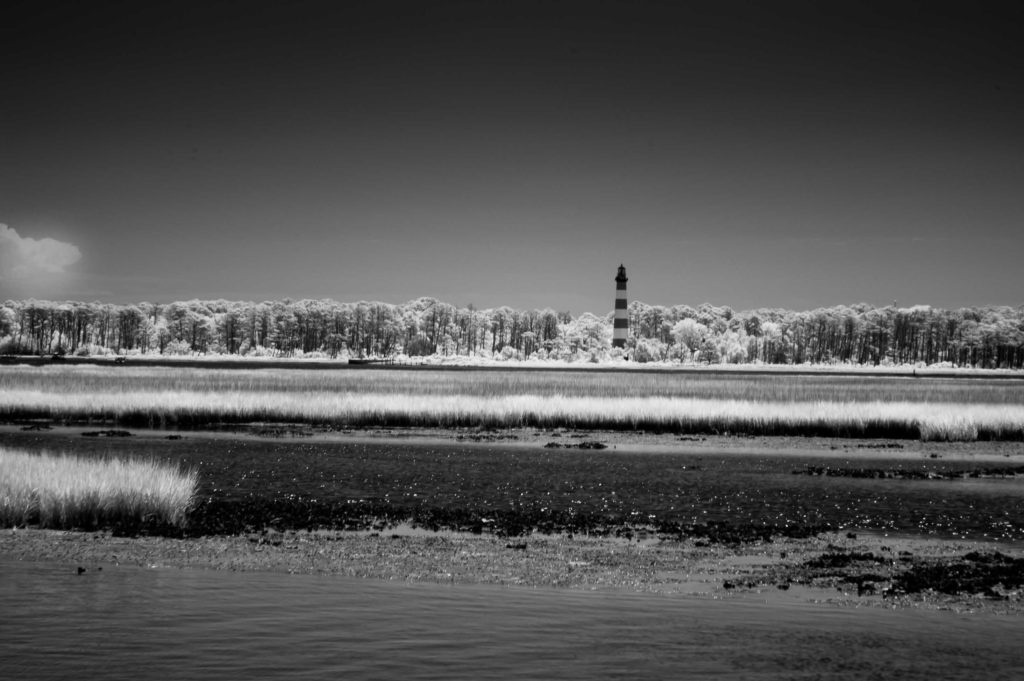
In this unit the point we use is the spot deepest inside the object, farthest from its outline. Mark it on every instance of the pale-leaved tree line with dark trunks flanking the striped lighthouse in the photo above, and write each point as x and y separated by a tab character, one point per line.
863	334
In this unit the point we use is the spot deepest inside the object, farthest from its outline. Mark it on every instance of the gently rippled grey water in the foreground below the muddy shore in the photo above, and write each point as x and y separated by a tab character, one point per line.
131	623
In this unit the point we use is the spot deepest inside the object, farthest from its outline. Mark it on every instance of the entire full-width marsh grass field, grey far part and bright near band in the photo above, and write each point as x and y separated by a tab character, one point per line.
827	406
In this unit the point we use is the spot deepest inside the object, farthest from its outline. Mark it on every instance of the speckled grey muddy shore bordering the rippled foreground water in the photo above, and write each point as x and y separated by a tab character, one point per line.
762	570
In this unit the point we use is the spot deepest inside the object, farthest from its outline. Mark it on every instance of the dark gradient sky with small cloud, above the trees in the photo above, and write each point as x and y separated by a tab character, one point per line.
746	154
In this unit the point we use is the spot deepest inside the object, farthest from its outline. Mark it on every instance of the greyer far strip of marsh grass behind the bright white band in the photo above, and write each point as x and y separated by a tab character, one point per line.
496	384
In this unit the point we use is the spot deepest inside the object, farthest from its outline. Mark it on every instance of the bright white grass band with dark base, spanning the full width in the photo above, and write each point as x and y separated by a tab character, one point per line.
856	419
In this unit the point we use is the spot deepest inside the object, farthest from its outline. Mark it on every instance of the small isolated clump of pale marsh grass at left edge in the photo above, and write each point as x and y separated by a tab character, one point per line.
70	493
